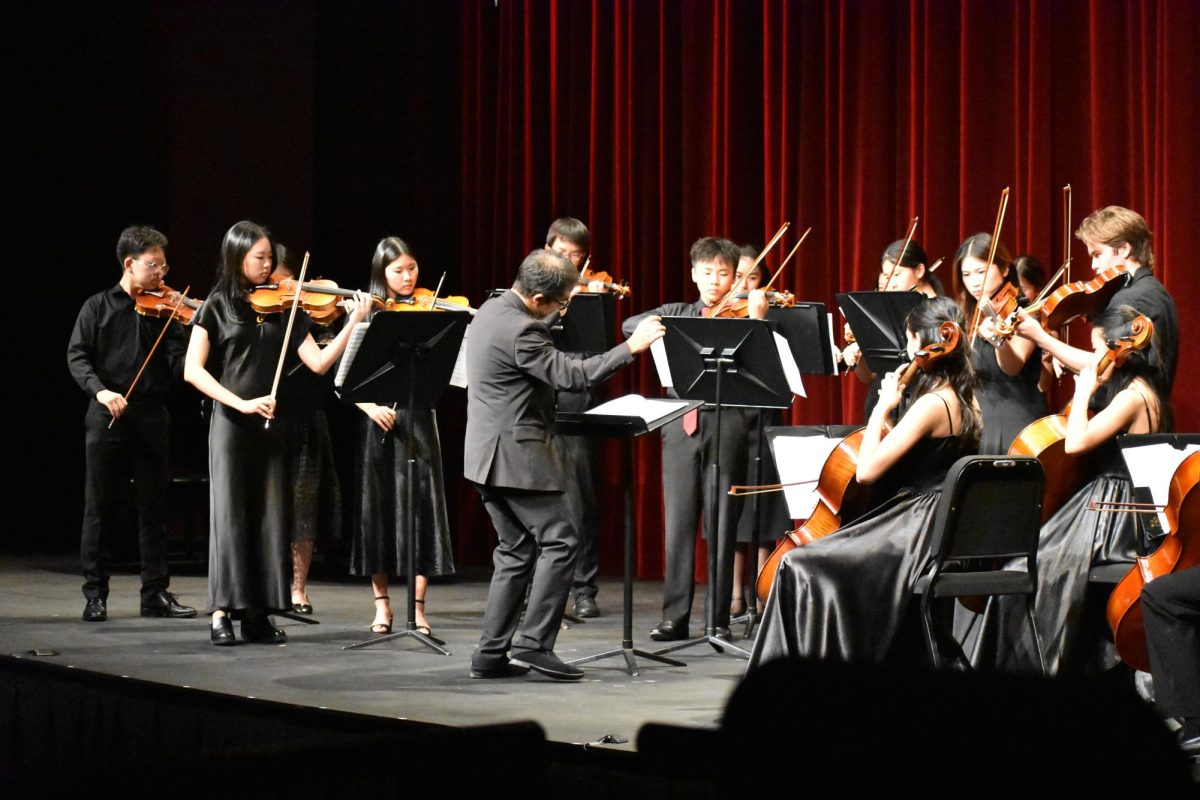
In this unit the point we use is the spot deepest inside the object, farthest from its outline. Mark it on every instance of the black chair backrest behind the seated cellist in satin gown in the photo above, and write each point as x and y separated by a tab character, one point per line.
991	509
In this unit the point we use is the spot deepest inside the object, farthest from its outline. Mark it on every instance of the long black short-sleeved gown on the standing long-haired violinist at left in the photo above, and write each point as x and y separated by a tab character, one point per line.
251	470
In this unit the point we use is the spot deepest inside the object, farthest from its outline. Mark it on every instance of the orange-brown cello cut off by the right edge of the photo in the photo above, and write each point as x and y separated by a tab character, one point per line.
1178	552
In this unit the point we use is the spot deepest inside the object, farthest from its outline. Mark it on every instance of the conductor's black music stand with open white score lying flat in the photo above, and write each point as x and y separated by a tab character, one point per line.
627	429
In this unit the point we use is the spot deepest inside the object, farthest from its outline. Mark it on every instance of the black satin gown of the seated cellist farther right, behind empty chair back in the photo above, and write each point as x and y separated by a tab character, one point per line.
1072	542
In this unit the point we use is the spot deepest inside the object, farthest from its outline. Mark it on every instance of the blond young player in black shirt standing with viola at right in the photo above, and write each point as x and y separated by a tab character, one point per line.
1119	238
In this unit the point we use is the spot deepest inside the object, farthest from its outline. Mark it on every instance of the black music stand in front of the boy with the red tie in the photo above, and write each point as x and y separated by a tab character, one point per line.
703	356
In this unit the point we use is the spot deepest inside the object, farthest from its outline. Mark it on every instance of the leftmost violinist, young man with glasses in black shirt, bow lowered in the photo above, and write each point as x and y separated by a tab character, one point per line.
127	436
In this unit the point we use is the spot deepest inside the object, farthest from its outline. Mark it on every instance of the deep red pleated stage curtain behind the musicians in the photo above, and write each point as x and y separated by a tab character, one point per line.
662	123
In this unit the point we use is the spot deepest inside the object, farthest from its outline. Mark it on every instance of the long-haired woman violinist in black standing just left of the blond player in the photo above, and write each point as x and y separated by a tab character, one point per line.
1007	370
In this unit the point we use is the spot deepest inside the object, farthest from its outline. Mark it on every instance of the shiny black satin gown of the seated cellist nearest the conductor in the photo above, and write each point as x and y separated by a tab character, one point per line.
845	597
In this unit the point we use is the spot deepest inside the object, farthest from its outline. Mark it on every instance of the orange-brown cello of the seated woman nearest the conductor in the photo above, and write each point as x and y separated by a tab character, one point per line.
839	494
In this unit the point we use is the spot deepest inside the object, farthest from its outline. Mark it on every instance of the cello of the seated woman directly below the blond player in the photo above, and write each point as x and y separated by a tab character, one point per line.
1046	440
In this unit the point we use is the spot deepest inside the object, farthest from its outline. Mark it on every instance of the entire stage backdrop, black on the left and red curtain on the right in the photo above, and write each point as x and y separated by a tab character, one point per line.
467	127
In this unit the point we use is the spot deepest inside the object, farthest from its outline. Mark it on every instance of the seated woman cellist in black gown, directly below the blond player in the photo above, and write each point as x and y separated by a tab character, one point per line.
1078	538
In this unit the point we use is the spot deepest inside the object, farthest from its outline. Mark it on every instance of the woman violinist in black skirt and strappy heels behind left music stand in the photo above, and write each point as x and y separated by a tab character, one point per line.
380	516
